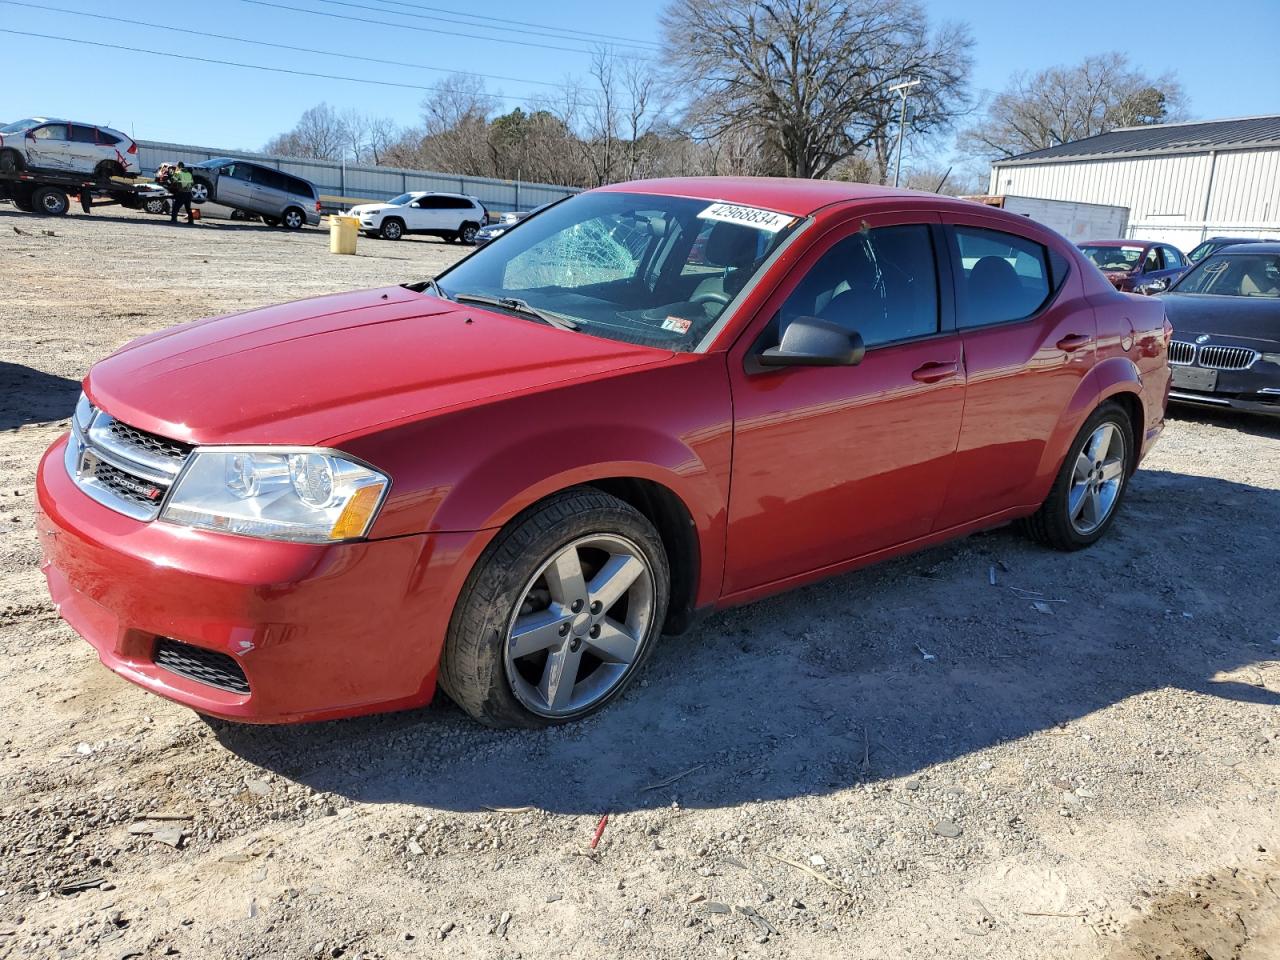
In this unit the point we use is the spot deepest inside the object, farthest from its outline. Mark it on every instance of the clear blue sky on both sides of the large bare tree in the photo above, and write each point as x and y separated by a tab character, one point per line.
1227	71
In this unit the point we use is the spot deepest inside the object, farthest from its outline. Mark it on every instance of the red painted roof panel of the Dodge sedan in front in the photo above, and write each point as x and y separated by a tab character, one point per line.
781	194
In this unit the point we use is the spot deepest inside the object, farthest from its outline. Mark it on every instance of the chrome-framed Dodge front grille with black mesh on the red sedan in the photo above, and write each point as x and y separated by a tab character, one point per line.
122	468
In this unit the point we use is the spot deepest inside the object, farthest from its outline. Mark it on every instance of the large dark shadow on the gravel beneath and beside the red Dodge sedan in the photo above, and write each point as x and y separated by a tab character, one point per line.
870	676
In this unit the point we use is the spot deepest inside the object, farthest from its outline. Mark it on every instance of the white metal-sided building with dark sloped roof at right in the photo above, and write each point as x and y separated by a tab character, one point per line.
1182	182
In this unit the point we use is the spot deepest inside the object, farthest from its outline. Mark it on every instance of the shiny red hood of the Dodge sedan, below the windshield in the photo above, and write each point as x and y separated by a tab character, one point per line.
319	371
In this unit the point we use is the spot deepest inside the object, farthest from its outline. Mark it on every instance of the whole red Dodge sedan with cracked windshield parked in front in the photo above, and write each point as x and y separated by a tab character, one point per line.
513	479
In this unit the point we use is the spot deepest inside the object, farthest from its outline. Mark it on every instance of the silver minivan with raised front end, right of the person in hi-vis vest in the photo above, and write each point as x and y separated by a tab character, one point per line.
278	198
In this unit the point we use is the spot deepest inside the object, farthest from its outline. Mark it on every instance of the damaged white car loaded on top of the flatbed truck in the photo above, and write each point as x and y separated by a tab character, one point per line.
67	147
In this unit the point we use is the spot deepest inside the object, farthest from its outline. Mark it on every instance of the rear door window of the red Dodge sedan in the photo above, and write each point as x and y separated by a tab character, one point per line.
1000	277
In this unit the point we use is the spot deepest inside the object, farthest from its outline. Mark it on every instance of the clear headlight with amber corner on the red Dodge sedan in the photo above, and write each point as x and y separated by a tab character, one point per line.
277	493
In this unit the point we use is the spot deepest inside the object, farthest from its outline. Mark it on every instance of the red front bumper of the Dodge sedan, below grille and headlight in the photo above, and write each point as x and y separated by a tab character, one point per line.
319	632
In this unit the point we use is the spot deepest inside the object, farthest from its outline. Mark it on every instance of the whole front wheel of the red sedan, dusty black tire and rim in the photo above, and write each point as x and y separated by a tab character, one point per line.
479	669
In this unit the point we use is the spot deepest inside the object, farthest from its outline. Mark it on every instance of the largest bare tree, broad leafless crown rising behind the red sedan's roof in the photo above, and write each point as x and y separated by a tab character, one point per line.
806	77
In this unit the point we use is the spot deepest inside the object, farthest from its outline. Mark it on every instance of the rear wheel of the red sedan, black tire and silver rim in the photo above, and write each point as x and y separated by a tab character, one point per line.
1094	478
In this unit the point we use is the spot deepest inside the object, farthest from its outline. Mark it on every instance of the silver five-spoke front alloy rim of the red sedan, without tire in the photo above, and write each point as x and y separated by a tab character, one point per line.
580	627
